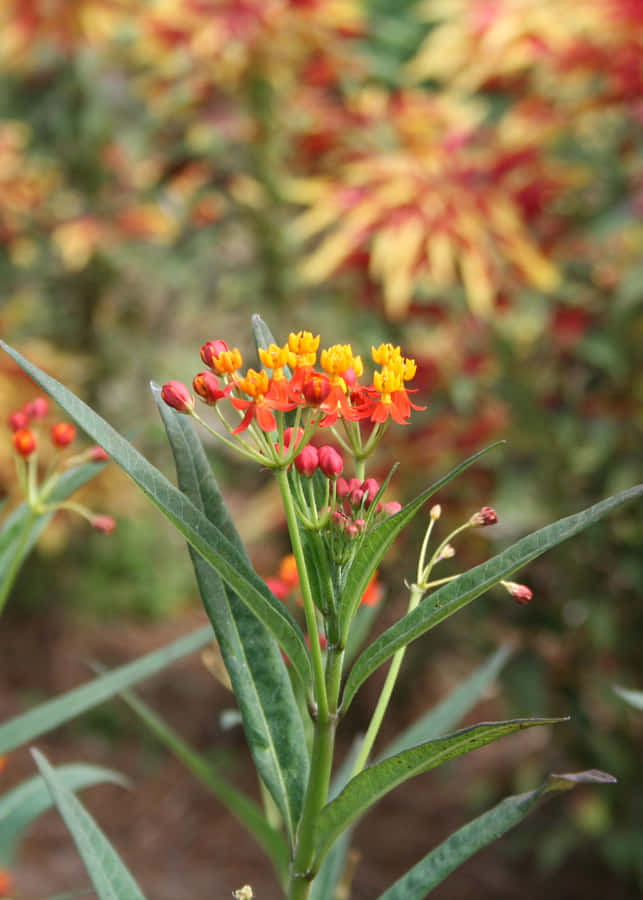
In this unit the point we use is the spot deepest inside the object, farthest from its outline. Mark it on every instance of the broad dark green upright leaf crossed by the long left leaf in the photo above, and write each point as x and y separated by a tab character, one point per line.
258	674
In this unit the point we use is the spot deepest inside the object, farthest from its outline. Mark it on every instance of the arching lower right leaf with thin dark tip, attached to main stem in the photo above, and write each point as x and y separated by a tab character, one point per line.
373	783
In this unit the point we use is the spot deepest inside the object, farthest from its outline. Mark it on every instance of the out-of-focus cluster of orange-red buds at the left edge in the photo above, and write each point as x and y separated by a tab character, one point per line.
26	424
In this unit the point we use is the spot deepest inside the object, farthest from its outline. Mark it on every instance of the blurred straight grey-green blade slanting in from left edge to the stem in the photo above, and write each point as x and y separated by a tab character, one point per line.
49	715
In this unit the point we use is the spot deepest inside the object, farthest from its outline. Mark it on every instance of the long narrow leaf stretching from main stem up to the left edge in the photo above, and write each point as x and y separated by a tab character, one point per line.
206	538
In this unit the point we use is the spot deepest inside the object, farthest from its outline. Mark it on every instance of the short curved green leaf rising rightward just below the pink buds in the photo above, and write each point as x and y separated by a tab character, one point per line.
377	541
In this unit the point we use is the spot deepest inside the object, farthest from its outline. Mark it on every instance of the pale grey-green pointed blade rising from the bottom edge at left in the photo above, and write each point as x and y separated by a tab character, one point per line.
109	875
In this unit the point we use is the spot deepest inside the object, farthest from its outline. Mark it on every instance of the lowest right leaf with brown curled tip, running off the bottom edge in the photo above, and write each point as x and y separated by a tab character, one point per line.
419	881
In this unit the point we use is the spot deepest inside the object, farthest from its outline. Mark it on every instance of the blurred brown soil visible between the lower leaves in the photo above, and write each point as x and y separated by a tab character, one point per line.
177	839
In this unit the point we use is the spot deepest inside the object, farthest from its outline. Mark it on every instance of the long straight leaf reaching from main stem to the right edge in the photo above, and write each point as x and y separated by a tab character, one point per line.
454	596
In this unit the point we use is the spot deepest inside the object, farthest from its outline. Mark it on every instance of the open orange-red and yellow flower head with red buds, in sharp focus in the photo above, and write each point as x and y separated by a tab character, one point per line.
289	383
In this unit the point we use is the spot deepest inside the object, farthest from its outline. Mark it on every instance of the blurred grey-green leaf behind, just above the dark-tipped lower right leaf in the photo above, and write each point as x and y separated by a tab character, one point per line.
446	714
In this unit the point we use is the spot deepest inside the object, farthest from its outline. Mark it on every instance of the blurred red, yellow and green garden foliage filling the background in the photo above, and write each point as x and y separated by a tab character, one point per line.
461	177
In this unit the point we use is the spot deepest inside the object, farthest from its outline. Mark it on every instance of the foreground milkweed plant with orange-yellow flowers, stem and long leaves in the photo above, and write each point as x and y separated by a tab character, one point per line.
313	419
